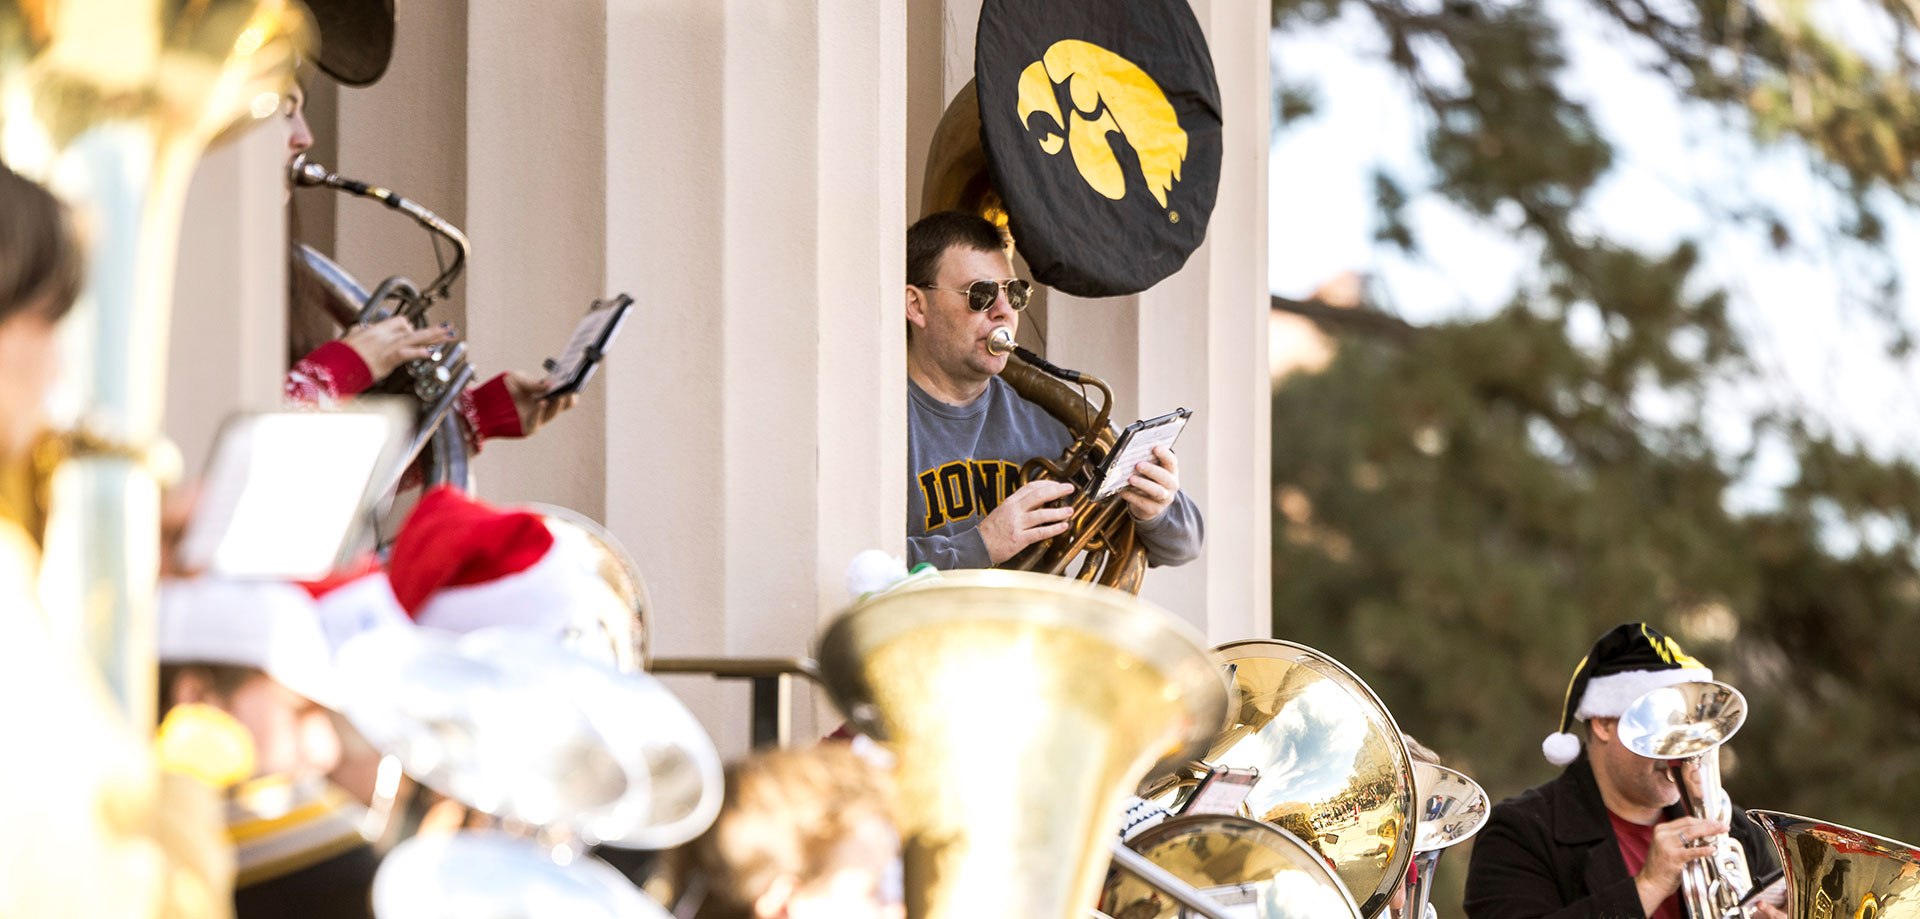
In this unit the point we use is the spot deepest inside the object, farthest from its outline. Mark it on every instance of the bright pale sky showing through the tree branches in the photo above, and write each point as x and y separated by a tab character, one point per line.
1815	348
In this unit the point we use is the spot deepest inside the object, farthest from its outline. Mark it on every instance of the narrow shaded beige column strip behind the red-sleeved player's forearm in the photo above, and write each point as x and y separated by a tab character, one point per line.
537	214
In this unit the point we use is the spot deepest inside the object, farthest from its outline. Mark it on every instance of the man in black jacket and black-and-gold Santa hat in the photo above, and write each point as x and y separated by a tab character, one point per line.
1608	837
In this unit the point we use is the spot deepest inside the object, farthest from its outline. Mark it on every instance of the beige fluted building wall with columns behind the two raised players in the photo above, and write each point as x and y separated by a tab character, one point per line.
746	170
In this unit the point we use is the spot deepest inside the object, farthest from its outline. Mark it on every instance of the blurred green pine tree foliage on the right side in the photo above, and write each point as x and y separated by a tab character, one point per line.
1464	507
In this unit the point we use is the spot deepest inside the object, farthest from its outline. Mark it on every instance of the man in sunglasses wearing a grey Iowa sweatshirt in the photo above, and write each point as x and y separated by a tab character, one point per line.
969	433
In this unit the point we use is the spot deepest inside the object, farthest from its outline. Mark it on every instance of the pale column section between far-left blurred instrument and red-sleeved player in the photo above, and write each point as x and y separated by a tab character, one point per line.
229	295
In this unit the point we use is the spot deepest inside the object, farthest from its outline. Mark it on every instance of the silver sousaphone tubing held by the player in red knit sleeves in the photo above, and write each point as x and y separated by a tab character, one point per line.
329	295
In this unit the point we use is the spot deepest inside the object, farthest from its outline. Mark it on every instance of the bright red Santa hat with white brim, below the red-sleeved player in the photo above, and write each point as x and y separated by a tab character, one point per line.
462	565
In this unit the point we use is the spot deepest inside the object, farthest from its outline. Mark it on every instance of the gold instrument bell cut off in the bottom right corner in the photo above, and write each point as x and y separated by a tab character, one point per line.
1838	872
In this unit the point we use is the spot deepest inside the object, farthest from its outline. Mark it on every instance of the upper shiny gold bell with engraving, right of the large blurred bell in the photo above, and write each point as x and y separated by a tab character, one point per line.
1332	765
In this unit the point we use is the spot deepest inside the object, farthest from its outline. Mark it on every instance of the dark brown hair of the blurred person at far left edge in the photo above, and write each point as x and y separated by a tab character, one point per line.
39	260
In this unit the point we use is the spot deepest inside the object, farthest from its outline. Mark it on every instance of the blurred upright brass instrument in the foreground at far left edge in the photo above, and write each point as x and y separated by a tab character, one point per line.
110	105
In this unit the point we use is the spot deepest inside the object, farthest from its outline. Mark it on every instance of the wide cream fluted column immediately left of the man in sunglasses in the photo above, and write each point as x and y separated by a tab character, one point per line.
757	191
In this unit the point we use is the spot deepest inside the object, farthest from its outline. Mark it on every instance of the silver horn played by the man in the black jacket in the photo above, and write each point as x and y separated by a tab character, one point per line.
1687	724
